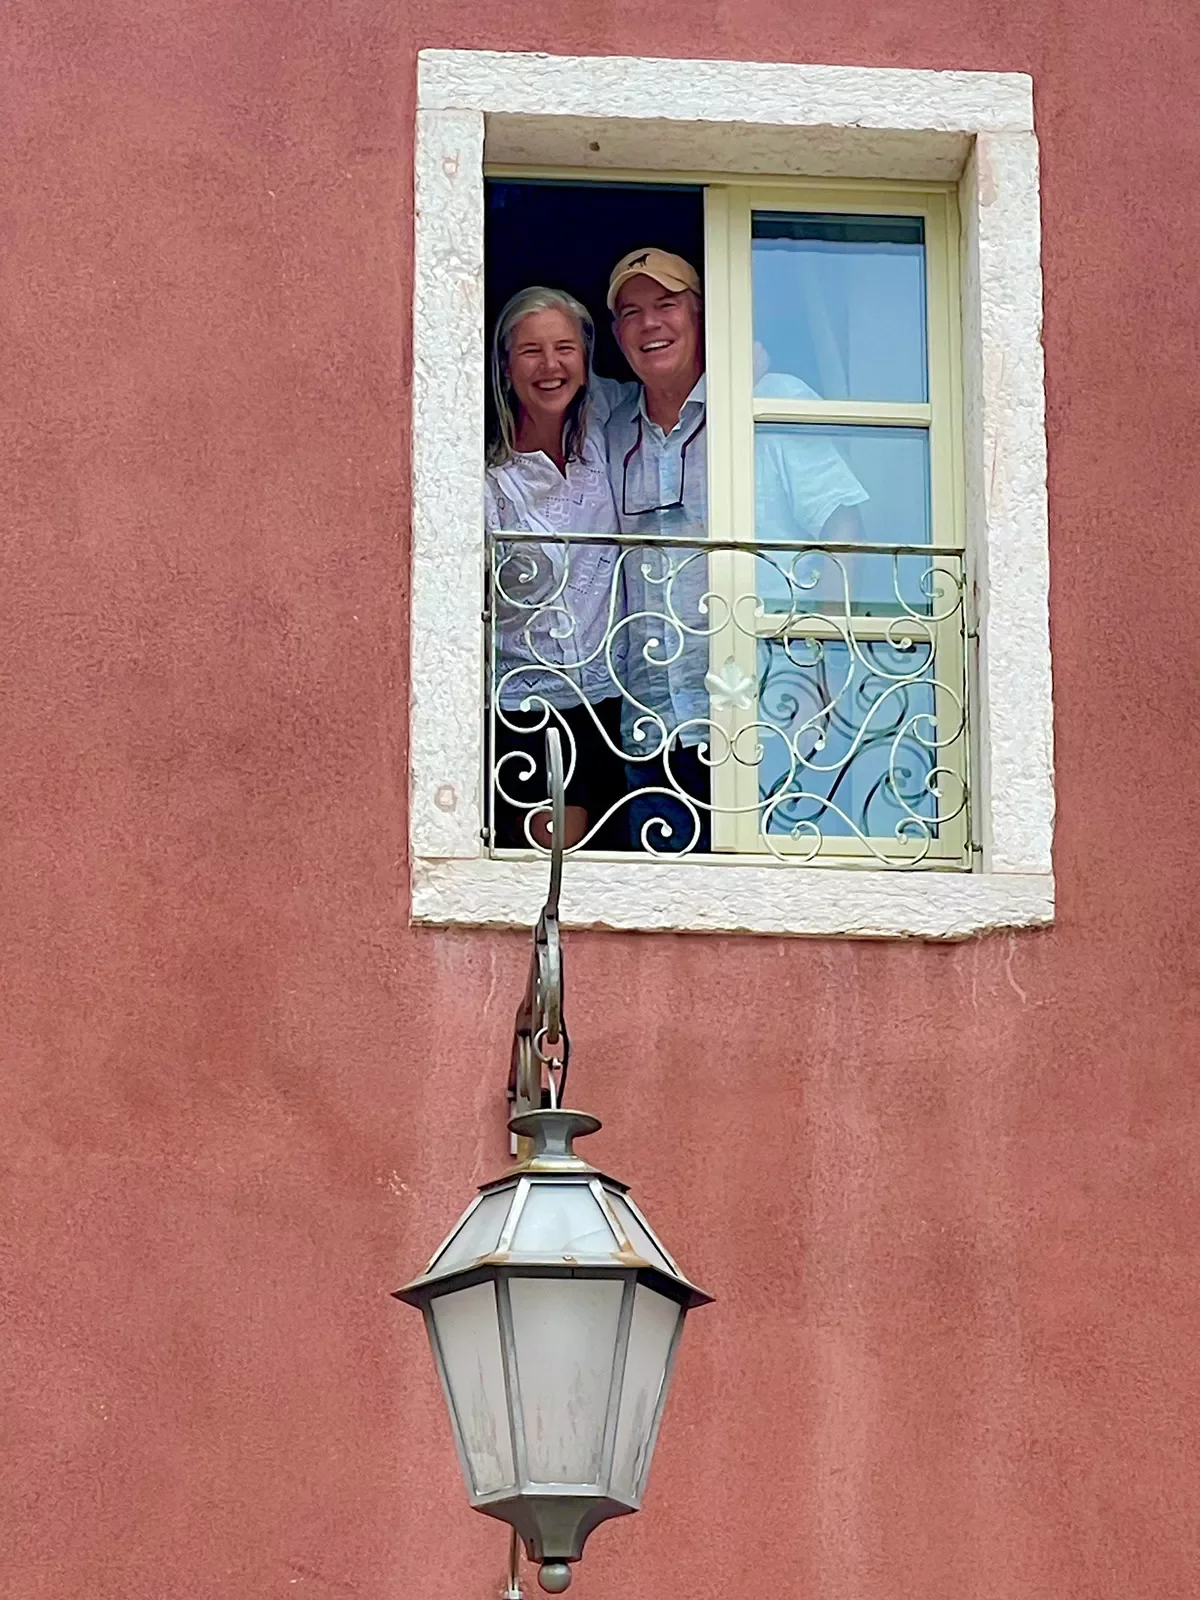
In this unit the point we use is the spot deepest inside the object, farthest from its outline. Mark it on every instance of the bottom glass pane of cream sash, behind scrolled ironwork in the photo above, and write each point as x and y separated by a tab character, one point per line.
850	742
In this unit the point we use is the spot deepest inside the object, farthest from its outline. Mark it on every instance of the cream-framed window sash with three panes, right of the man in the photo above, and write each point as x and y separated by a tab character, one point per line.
842	665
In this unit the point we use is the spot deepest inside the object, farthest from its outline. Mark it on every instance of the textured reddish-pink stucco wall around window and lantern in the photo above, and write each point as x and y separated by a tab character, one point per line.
948	1196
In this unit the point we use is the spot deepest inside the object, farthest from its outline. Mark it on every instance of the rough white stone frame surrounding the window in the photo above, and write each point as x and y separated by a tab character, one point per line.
722	118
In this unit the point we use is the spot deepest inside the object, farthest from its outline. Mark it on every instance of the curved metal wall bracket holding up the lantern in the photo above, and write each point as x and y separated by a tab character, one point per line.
540	1017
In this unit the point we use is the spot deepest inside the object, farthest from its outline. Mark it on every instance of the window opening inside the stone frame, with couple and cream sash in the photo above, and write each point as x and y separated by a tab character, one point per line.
743	607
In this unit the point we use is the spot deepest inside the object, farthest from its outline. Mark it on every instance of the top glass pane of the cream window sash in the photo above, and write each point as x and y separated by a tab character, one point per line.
839	305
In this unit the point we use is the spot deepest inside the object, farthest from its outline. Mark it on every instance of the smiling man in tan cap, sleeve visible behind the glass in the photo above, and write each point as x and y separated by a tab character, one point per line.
657	460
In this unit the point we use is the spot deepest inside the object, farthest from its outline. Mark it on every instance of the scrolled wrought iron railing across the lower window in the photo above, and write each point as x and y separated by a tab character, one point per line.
794	702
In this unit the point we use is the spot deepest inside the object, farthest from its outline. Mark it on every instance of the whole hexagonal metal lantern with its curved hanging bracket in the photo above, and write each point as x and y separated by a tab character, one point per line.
553	1220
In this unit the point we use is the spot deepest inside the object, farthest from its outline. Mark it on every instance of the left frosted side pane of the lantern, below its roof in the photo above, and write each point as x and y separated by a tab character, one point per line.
468	1335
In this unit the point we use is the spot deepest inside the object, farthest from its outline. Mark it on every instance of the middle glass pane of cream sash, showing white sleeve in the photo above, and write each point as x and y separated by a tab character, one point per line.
846	486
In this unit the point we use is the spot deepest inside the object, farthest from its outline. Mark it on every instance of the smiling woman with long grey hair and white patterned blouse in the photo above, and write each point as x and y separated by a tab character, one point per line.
548	474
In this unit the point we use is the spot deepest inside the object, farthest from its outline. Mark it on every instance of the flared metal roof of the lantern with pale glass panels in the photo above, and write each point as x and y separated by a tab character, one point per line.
553	1214
